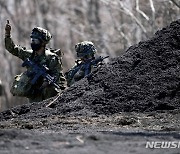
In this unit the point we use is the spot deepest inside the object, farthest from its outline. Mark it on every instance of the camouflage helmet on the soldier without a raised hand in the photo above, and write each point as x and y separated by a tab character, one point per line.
85	48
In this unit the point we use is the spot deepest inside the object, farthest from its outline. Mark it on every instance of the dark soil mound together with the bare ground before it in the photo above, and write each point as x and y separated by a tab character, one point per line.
116	109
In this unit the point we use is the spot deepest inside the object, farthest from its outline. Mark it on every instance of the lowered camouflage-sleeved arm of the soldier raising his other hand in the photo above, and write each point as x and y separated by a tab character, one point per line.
55	67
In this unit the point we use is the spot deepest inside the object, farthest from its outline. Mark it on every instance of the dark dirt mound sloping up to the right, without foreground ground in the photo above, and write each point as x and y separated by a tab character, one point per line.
145	78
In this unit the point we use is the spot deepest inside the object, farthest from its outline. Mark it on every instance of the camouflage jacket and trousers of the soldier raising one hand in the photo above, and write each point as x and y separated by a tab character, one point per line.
50	59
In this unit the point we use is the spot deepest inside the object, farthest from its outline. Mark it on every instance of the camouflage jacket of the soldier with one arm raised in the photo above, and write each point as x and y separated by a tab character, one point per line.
50	59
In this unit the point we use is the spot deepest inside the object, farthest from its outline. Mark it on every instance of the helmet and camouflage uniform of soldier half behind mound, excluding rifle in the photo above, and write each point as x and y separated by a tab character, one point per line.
85	52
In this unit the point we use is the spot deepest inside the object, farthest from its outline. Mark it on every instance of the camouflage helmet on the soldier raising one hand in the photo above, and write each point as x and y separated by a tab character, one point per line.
42	34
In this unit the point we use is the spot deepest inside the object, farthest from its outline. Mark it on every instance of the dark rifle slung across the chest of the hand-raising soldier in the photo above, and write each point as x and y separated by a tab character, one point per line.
38	71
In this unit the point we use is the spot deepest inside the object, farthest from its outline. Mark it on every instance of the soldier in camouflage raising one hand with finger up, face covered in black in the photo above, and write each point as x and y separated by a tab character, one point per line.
40	55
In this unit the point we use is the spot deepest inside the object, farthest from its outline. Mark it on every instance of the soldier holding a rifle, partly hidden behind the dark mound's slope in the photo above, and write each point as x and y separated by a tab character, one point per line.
85	64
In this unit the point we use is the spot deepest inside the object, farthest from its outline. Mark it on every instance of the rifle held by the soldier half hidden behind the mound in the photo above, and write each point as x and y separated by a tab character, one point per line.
85	66
